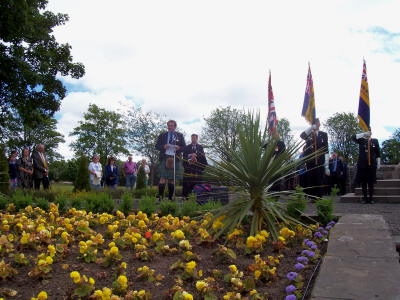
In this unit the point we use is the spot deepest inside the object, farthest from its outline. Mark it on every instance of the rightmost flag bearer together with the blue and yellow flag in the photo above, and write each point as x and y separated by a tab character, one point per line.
369	151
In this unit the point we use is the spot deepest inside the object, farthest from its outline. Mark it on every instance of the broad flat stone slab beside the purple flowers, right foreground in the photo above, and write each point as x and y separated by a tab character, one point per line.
361	262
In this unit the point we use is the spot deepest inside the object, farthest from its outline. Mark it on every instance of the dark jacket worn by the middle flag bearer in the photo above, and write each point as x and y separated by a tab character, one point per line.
313	143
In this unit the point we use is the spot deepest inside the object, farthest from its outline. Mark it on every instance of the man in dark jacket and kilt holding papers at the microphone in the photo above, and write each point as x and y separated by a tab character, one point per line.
170	144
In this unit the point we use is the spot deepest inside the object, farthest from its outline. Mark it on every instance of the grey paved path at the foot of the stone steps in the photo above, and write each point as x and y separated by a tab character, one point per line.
390	212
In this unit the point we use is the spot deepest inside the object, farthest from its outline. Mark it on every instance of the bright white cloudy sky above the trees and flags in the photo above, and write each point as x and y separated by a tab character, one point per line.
185	58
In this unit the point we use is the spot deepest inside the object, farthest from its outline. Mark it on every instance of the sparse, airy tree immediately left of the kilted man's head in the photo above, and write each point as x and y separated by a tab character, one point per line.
143	130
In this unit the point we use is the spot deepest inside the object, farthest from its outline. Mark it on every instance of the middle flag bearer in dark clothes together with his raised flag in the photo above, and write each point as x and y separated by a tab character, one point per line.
316	140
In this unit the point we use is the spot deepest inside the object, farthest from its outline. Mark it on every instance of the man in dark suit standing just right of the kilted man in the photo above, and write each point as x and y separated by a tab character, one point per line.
194	162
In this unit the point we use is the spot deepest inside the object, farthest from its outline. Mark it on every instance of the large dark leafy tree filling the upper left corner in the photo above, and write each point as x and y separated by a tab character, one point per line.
31	60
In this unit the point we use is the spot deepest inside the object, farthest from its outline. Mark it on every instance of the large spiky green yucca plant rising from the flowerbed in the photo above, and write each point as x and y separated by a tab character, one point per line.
254	168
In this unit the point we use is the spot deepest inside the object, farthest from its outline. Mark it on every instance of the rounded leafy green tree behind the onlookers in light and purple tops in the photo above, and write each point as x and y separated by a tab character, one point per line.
102	132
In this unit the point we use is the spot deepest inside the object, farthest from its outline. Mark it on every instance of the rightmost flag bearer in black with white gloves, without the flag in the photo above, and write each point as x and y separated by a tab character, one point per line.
369	160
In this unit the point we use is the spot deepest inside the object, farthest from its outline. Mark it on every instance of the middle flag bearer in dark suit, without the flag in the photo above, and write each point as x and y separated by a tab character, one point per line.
316	140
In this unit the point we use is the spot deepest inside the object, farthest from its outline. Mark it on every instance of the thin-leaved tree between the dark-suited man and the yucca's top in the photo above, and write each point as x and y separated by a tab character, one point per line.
220	134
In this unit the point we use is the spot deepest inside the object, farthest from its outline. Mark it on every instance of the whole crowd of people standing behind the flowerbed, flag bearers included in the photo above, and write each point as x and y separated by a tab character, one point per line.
186	163
